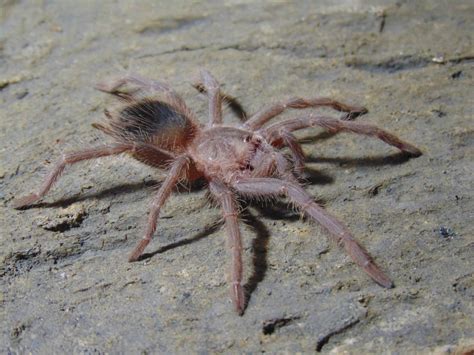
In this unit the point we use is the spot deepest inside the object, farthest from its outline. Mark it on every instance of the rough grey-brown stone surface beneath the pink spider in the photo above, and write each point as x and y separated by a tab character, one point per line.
66	285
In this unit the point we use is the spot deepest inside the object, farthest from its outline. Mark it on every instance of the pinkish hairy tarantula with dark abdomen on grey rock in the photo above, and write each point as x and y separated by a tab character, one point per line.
154	125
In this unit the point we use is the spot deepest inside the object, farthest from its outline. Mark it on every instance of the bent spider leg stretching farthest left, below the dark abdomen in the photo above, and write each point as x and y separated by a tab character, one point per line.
67	159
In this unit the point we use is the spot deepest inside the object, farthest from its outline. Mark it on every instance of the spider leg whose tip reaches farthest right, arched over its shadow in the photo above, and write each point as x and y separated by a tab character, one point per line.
275	130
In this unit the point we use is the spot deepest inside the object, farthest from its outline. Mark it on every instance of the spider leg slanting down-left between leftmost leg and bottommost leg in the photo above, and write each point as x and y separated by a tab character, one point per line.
178	167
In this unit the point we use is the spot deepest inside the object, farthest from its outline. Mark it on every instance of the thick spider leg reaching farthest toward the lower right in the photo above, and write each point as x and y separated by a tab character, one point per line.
298	196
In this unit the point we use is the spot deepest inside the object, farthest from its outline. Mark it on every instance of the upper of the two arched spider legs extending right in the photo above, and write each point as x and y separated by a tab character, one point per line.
257	120
